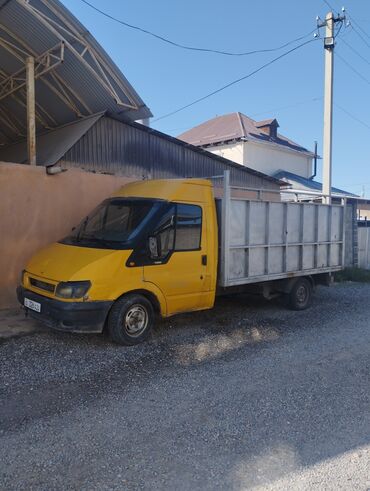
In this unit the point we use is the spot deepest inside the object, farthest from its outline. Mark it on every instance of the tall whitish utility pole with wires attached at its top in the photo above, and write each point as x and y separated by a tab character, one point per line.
329	43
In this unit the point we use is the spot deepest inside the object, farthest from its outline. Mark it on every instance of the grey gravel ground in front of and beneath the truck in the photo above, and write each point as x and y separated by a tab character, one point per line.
246	396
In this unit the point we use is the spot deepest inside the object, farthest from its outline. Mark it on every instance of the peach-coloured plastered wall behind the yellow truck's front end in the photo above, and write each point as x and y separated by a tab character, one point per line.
37	209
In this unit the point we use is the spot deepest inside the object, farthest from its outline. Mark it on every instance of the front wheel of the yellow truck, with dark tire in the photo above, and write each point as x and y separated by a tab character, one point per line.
130	320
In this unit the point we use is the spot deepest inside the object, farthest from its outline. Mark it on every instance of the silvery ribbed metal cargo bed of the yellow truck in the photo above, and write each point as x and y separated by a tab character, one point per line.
270	240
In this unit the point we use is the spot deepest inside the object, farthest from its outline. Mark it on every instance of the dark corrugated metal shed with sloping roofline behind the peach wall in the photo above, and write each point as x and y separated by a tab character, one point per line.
105	144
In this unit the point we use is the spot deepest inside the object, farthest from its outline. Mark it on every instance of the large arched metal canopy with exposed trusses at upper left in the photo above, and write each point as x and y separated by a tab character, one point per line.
75	78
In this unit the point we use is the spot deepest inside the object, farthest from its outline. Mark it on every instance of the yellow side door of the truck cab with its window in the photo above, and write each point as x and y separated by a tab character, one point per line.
180	270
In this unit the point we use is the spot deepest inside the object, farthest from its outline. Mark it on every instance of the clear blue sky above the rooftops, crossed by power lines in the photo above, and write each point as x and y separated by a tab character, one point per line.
290	90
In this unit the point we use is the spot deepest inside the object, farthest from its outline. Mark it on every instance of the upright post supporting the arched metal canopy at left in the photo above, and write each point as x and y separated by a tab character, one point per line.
31	119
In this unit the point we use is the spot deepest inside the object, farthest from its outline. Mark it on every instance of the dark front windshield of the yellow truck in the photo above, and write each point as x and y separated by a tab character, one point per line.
116	221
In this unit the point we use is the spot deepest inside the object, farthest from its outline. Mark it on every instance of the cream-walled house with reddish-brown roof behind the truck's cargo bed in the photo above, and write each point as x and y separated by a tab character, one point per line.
254	144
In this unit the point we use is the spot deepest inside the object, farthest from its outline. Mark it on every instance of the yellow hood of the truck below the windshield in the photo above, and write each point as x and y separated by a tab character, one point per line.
60	262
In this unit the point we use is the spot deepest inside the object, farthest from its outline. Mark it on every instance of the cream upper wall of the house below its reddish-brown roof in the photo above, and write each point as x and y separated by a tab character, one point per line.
265	158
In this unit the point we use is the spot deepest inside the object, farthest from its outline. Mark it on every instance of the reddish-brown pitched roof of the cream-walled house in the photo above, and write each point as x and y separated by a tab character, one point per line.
236	126
